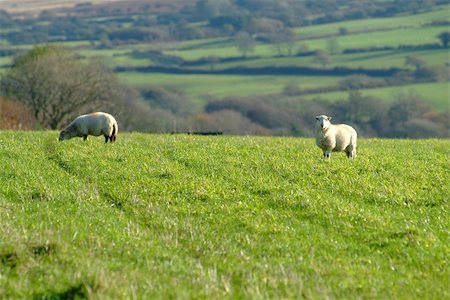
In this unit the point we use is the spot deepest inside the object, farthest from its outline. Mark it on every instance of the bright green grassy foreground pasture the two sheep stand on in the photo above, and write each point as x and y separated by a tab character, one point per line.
177	216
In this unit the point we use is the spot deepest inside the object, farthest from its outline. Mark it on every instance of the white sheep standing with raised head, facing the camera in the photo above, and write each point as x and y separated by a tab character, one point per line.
339	137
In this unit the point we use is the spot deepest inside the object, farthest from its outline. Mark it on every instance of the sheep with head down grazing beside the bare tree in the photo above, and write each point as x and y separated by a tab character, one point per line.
95	124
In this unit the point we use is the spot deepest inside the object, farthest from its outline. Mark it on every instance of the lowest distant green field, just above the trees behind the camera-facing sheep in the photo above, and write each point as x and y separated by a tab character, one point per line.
435	94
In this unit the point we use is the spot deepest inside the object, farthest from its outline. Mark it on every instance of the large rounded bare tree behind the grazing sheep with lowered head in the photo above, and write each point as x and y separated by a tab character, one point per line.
55	85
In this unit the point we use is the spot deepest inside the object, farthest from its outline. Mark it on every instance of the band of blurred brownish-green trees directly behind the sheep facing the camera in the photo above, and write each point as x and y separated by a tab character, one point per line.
407	116
